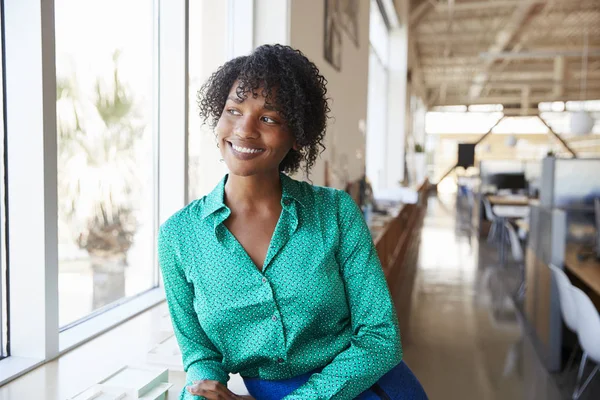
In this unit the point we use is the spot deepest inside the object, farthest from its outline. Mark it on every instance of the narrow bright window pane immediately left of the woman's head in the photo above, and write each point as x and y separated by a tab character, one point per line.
208	49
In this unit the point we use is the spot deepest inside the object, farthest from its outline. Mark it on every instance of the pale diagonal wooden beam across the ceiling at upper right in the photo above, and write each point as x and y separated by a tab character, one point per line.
503	39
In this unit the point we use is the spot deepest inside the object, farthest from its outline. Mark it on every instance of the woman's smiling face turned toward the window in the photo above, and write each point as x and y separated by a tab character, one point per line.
253	138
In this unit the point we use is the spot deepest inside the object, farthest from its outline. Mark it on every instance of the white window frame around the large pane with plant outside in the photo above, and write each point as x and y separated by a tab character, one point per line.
31	135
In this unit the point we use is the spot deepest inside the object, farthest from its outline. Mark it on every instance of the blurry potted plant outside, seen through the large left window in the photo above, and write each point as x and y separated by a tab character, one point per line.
98	179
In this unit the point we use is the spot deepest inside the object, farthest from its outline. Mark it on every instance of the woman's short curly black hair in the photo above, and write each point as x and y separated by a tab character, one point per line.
290	83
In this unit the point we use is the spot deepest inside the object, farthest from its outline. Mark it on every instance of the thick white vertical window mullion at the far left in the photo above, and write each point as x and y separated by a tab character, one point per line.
32	189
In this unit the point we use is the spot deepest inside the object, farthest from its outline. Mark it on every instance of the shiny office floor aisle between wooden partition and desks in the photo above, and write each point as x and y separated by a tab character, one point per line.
460	343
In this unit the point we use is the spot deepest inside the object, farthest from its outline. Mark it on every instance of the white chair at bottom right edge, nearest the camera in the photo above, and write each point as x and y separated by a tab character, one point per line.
588	331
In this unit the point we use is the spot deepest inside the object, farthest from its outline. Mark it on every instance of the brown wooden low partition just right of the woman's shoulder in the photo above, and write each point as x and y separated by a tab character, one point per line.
398	249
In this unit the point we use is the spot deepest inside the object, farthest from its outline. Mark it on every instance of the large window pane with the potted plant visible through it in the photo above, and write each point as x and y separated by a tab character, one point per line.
105	102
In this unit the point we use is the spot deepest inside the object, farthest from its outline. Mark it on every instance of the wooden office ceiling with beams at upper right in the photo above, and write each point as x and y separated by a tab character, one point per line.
513	52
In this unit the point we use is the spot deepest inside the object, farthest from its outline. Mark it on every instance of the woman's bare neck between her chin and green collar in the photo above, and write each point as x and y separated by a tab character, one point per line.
253	191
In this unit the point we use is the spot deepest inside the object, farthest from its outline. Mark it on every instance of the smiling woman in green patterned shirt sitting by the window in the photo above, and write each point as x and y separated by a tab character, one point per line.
273	278
